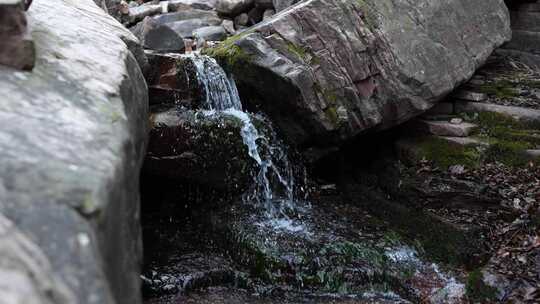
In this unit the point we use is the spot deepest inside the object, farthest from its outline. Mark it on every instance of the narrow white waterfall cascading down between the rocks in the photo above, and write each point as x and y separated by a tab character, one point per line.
273	185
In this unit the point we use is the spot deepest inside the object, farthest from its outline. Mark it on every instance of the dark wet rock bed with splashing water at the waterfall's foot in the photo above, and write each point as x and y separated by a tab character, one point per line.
330	253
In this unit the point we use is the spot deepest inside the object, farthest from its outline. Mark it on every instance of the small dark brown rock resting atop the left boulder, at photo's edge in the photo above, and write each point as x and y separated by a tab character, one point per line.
17	48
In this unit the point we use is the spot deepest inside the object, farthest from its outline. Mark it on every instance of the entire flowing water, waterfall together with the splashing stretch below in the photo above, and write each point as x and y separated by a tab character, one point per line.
336	249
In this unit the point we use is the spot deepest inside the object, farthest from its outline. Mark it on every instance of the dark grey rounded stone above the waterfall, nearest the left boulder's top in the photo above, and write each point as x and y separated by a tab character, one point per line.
158	37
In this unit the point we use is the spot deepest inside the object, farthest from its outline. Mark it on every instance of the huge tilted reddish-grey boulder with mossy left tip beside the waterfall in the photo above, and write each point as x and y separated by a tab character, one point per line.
326	71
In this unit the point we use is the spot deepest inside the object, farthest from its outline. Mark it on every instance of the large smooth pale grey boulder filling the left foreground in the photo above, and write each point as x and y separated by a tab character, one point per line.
71	143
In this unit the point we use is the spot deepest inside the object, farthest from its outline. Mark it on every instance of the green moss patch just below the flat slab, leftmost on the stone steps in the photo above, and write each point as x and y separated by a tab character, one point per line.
444	153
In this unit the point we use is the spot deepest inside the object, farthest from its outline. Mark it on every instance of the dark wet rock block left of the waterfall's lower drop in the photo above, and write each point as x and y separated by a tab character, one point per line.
184	145
